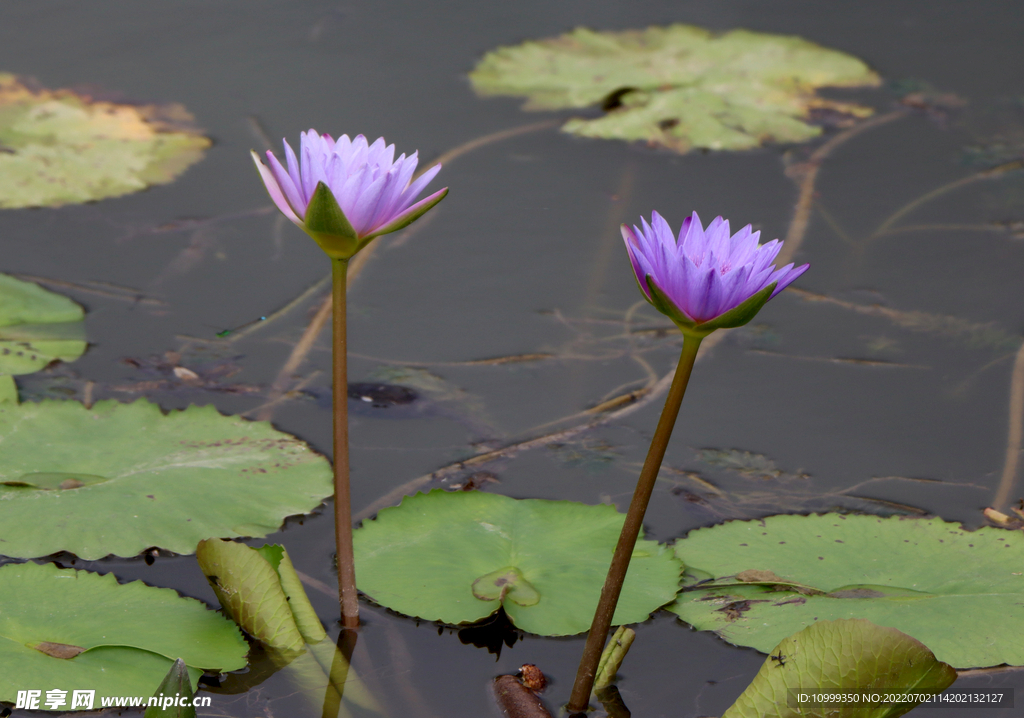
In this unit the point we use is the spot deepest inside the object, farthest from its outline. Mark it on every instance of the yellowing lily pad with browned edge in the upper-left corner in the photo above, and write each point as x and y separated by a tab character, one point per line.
58	147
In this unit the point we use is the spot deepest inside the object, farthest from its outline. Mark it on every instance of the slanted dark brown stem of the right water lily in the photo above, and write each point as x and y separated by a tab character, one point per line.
631	530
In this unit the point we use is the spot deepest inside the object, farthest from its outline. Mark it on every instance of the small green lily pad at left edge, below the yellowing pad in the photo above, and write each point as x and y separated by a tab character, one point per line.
36	328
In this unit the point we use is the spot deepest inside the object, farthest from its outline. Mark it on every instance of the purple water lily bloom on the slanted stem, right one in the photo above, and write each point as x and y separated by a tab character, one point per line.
707	280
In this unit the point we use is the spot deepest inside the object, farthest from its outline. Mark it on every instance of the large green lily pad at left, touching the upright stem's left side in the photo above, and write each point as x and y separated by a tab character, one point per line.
119	479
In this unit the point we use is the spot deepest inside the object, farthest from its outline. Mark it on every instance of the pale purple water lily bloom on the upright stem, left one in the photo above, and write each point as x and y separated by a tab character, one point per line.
366	192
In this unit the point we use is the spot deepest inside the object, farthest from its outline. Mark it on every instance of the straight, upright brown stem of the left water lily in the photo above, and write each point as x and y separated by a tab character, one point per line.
343	501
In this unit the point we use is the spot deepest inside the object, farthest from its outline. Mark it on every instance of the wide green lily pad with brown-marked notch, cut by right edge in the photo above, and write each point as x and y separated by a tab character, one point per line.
959	593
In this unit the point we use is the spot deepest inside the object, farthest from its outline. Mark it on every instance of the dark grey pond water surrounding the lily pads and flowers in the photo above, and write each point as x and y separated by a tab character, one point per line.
525	258
